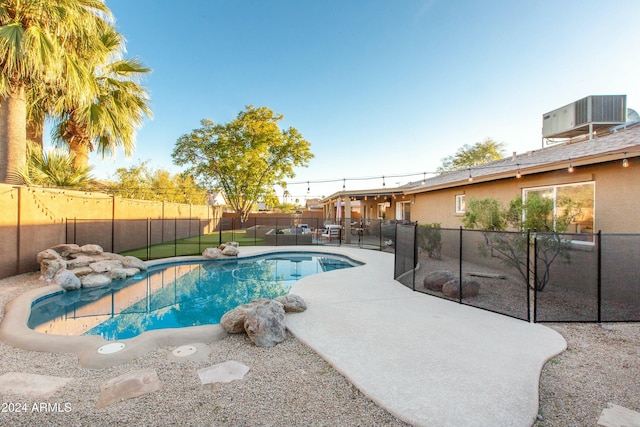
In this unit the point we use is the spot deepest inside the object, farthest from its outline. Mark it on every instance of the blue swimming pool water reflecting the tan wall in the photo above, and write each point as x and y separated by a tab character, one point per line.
176	295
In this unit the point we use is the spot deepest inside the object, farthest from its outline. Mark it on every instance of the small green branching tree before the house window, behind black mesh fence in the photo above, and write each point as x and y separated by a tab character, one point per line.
536	214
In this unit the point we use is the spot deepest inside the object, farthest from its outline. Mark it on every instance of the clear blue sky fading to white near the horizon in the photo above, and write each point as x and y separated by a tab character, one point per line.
378	87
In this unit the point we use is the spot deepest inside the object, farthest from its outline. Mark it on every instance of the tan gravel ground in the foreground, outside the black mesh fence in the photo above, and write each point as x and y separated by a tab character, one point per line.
291	385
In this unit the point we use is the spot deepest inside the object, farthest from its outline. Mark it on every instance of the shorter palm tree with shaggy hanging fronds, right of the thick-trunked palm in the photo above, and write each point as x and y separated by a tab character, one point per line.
107	120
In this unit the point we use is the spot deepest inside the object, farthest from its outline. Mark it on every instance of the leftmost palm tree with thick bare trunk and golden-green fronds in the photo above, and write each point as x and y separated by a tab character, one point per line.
40	44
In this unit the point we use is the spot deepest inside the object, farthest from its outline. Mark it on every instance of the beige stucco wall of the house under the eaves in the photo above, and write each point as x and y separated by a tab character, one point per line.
617	205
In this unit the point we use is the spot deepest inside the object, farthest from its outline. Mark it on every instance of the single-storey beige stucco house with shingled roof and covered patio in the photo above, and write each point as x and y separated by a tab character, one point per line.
601	173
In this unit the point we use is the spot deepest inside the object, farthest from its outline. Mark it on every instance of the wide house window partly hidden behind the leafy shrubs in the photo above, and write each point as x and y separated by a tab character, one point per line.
574	202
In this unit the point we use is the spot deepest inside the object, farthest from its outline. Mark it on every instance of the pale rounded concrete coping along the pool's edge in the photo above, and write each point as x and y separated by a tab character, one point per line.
15	332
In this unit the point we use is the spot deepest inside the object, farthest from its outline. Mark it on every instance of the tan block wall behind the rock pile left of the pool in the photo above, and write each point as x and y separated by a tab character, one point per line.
33	219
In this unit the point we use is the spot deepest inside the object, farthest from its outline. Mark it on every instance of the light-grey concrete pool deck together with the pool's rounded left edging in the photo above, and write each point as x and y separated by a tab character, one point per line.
426	360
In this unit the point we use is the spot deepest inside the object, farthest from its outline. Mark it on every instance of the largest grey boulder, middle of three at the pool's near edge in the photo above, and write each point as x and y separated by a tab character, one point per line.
265	324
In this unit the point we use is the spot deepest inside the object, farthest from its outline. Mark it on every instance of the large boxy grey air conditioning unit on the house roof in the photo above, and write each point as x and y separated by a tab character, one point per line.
585	116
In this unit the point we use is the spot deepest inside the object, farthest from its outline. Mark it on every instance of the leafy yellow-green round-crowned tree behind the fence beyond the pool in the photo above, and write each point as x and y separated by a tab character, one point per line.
244	157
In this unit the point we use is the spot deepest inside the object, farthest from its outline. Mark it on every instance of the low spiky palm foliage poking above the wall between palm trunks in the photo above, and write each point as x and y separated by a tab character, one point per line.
53	168
